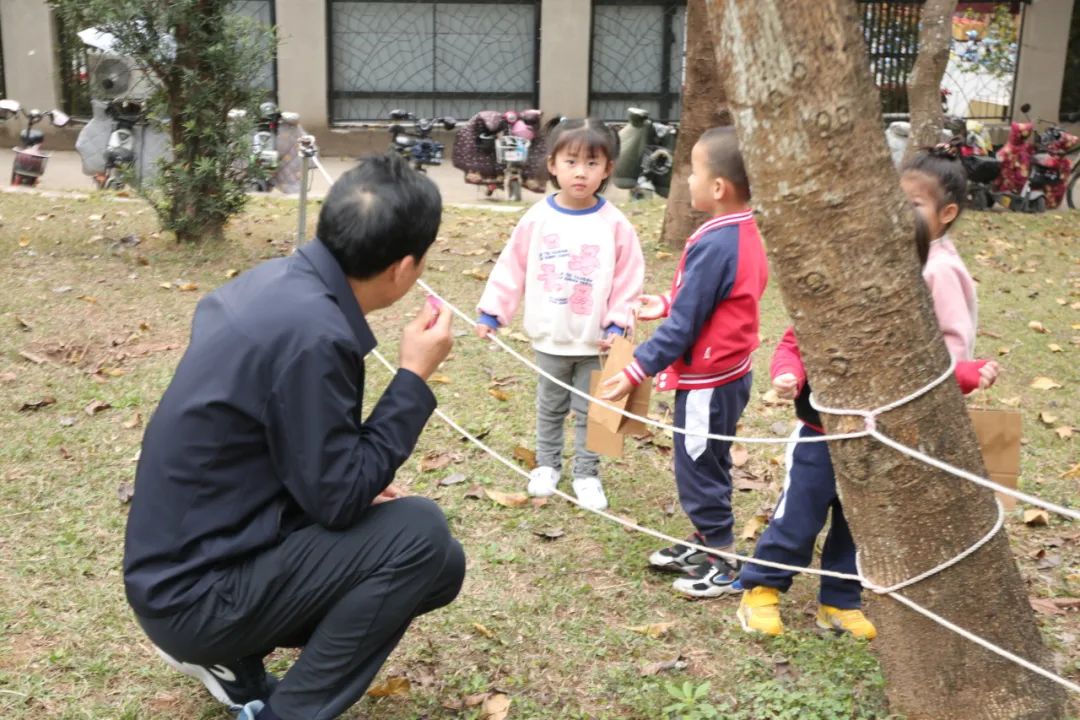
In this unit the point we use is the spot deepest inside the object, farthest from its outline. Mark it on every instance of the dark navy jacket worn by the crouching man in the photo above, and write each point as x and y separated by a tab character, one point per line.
261	432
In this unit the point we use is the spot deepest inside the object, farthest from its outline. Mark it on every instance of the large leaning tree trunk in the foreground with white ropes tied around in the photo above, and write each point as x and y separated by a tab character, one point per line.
840	238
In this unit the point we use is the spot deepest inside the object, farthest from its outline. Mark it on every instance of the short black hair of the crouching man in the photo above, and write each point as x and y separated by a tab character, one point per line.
379	213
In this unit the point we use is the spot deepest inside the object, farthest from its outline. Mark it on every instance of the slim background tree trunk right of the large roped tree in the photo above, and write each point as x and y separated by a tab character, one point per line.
924	90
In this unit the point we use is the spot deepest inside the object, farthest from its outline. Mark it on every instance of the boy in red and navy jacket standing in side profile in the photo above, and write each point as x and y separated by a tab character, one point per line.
704	352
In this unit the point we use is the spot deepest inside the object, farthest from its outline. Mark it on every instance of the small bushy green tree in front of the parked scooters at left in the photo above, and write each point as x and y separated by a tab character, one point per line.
206	60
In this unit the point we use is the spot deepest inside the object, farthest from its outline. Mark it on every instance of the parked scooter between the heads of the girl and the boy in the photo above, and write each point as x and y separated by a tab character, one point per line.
646	156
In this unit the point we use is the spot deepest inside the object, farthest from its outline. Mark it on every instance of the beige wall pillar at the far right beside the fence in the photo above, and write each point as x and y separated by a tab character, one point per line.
1044	46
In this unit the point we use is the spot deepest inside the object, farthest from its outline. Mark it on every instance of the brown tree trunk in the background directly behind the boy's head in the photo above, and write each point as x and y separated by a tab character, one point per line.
704	107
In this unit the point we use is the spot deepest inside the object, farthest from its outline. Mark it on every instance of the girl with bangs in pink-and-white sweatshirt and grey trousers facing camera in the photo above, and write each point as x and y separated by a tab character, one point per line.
577	263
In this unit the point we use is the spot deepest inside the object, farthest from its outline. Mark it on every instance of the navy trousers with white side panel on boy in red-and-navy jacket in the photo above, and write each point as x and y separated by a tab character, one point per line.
704	467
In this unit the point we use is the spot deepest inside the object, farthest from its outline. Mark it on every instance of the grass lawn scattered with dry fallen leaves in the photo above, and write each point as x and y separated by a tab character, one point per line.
96	309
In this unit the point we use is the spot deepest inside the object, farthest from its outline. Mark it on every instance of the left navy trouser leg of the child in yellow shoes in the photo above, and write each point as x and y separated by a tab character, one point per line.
801	514
